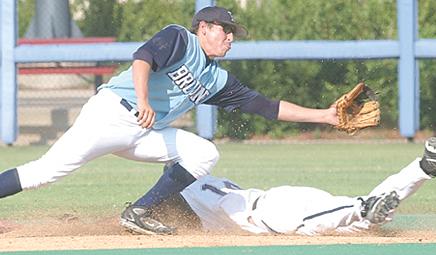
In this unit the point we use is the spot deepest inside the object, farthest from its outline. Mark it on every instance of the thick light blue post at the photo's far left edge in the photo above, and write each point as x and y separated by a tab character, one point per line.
8	72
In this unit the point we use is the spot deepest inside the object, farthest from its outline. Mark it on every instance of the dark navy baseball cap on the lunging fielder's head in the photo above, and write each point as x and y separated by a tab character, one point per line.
220	16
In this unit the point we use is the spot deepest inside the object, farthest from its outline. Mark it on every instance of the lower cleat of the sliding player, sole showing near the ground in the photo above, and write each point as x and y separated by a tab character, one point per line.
377	208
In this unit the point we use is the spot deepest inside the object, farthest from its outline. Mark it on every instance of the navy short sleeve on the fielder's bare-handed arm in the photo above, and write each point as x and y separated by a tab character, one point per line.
164	49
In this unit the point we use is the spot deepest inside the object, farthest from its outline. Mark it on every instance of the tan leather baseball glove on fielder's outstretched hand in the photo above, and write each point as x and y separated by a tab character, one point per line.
357	109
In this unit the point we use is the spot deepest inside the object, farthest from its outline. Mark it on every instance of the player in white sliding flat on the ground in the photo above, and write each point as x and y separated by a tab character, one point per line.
221	204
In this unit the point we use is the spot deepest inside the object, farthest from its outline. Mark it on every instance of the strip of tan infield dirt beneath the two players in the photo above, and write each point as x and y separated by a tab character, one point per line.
70	233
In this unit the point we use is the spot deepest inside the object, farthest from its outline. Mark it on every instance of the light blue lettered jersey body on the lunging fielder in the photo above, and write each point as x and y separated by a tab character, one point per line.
175	89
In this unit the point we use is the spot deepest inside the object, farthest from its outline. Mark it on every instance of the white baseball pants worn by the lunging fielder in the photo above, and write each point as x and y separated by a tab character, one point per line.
104	126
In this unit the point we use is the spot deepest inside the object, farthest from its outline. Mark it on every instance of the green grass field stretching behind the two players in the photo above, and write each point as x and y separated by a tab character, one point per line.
103	186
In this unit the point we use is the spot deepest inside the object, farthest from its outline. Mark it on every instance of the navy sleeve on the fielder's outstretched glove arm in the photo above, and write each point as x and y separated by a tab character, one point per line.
235	95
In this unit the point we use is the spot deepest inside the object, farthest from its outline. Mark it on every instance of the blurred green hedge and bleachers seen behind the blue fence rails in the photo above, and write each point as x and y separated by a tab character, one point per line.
52	94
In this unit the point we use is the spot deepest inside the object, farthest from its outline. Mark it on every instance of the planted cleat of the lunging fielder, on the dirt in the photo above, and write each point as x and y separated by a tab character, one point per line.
137	219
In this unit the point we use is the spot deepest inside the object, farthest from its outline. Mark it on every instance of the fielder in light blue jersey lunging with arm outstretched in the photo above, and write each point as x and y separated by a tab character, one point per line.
130	115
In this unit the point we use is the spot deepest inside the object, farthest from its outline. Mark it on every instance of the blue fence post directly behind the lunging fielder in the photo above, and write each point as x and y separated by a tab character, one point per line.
206	114
